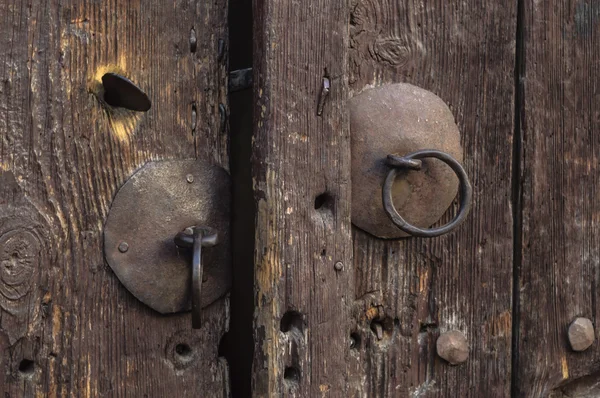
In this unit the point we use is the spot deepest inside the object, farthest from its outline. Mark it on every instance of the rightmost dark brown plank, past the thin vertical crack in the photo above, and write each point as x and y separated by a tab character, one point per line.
560	269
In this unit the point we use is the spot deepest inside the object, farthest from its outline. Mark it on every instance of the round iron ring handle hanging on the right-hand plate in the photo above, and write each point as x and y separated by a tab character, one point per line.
413	161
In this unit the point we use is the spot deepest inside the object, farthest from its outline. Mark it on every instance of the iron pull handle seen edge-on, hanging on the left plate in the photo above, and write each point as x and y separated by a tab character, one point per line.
196	238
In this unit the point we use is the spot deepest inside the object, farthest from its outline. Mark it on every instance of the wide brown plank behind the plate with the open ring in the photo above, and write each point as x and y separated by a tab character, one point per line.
413	289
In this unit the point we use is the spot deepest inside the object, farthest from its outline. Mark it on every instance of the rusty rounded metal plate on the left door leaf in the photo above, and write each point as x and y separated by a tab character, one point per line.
155	204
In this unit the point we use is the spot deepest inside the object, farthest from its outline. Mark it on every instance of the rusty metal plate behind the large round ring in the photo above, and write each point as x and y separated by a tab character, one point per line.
400	119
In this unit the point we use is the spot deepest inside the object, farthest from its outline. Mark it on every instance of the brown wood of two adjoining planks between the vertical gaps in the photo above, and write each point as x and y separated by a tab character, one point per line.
466	54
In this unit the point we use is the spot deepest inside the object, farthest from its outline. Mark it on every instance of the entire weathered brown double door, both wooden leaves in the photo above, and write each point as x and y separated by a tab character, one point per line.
521	80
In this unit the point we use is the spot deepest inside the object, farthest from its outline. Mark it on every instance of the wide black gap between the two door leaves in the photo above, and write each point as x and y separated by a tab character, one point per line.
237	345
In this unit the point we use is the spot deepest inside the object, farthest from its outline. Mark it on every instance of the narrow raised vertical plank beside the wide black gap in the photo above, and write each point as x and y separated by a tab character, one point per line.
301	173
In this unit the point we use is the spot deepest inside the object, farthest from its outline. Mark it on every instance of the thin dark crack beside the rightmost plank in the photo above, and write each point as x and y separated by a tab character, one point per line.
517	191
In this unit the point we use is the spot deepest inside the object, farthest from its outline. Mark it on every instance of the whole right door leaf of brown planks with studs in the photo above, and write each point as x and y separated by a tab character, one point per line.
521	79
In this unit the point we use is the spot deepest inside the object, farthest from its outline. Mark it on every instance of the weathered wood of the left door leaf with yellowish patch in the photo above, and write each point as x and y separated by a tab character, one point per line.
67	326
